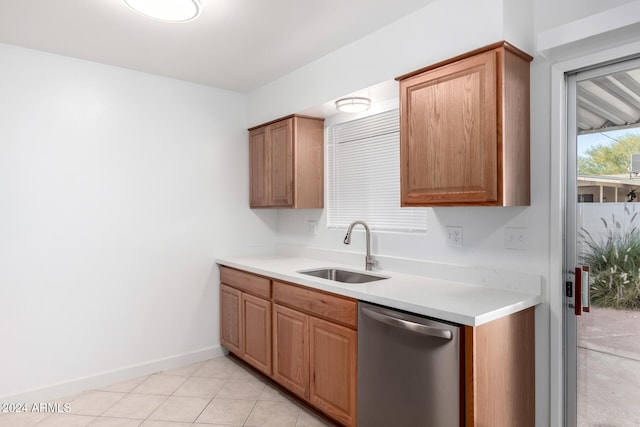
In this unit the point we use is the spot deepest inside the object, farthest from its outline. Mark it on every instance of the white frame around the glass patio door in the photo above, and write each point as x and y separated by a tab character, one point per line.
558	161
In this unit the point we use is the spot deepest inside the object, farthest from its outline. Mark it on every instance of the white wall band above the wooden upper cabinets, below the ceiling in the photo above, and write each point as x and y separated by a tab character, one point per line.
444	28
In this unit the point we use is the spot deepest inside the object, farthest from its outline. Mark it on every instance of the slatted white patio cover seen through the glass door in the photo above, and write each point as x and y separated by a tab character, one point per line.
609	102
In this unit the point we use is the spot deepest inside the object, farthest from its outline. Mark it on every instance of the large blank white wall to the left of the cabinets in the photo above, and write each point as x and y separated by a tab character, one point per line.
117	191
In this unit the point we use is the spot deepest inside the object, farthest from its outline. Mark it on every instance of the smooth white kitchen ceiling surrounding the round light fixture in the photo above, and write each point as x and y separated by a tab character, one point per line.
238	45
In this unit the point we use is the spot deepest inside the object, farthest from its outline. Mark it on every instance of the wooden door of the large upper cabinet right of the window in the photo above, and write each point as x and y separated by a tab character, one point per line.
448	137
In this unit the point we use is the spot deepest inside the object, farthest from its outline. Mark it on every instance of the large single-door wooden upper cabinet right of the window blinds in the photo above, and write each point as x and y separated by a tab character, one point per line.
464	130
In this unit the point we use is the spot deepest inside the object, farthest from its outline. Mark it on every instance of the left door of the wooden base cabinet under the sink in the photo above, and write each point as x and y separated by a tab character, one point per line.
290	355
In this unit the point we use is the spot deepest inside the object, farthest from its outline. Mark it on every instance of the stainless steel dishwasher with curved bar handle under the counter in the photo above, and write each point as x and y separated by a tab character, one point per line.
408	370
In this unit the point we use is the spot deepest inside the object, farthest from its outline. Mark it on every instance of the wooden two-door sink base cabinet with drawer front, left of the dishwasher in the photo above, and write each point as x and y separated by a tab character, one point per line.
315	348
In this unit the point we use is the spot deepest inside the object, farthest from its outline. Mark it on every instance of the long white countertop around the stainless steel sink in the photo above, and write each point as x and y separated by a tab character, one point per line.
463	303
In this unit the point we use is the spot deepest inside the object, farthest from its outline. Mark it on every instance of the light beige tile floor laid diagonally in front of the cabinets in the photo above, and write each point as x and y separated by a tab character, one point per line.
218	392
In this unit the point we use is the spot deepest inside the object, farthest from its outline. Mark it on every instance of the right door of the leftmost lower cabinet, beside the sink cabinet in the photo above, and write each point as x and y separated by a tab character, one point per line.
256	348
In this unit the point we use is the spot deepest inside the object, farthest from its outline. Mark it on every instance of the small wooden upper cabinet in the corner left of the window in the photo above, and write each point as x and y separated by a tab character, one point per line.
286	163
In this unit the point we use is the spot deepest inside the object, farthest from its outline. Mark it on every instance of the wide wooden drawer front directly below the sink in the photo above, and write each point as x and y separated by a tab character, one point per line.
318	303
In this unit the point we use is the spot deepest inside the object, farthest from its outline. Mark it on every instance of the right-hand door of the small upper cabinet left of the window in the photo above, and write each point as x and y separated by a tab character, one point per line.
281	163
